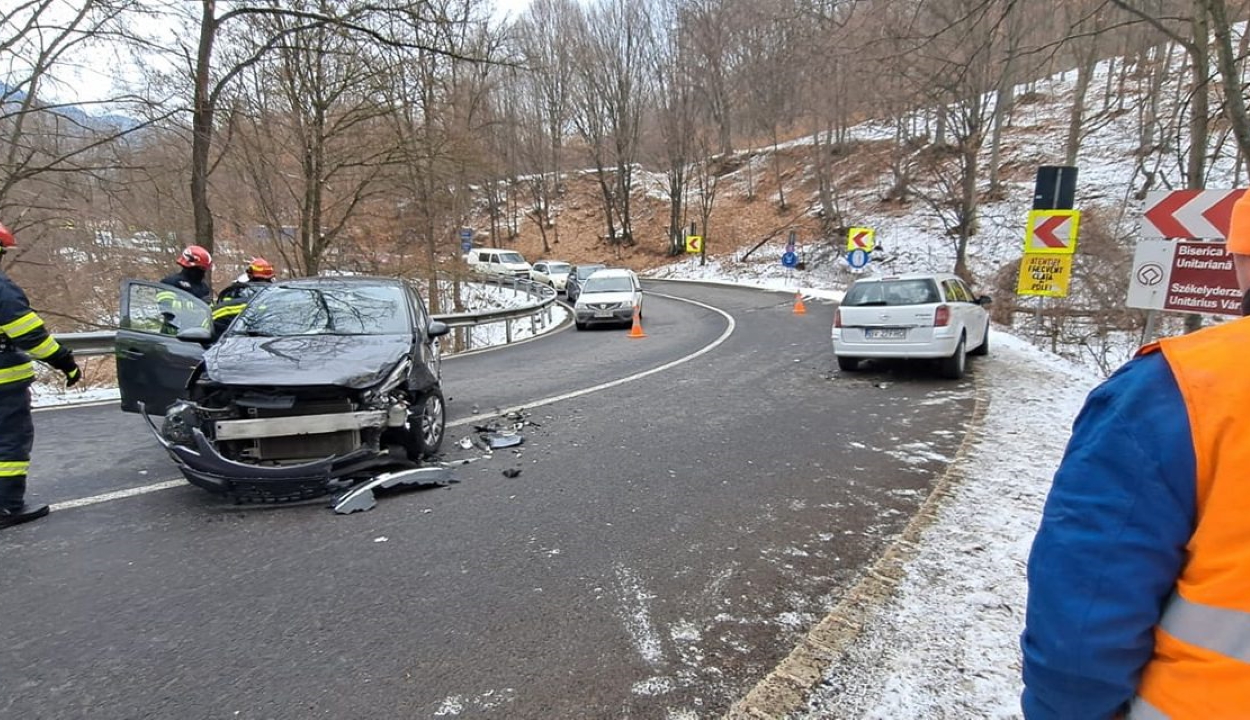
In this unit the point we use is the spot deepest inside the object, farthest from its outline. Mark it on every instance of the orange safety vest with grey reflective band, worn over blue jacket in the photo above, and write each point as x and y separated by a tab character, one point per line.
1201	669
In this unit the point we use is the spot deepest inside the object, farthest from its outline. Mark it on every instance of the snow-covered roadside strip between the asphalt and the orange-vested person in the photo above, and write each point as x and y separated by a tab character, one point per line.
947	643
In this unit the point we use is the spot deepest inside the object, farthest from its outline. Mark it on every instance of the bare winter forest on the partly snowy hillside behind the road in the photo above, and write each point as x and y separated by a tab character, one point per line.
347	136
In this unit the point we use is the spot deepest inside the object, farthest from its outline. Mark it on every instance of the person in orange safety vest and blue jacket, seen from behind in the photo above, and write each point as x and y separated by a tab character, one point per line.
1139	577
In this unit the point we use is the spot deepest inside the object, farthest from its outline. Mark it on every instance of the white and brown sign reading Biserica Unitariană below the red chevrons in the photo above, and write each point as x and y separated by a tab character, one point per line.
1184	277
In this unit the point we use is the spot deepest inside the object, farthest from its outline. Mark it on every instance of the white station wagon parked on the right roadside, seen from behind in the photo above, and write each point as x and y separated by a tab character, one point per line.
911	317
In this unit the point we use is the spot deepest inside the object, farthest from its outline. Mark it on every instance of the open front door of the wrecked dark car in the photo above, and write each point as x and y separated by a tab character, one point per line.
154	364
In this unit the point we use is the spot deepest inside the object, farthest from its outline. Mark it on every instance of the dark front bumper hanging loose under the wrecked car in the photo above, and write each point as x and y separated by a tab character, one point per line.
244	483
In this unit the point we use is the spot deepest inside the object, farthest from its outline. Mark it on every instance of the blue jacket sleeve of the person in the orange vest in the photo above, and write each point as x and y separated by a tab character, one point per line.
1111	546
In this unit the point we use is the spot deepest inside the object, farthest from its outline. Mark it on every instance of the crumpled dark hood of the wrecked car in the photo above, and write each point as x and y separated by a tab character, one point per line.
357	362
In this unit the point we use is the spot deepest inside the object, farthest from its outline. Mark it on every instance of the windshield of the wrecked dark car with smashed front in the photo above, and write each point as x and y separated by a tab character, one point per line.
333	311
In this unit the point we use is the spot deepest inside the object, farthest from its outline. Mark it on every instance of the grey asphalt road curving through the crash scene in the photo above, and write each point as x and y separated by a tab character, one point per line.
668	541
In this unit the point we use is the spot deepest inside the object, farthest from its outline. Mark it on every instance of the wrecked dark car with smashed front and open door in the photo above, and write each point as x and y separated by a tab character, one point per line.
319	383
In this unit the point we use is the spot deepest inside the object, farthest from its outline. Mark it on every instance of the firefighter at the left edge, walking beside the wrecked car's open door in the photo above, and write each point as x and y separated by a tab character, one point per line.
22	338
